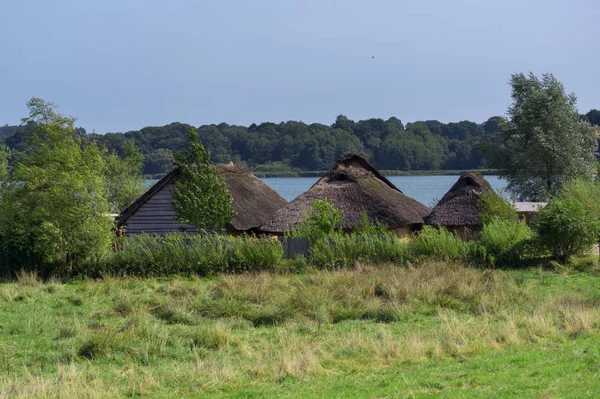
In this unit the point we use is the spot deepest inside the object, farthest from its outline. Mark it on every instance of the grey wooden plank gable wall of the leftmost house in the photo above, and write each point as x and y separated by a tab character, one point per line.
156	216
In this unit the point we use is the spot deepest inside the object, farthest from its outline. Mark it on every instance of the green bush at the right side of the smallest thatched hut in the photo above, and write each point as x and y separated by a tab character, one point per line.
501	241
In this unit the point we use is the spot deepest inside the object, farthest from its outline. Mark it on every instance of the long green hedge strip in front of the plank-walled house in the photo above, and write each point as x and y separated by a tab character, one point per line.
184	254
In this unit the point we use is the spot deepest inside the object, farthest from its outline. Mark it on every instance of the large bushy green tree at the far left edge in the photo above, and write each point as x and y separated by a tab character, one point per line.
54	208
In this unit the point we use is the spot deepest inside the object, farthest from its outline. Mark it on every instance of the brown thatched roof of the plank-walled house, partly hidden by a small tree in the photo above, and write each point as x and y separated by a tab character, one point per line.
254	201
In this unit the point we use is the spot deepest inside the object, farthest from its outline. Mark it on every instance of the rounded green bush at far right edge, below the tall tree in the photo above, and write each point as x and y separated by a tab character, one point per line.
566	228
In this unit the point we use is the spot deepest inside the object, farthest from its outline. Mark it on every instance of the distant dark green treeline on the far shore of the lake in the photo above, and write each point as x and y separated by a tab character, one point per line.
287	146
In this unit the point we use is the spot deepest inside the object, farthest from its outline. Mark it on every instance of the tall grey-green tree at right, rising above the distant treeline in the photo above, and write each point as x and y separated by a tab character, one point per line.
544	143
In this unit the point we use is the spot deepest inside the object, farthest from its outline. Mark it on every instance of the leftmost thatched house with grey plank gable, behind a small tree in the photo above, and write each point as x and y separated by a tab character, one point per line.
152	213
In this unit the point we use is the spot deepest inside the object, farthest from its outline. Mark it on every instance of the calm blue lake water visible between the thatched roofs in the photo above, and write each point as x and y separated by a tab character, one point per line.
425	189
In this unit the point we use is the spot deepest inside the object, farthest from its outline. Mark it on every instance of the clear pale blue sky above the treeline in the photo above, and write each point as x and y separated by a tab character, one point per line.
119	65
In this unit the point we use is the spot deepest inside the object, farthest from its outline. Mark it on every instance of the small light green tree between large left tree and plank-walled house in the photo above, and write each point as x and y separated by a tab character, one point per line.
124	181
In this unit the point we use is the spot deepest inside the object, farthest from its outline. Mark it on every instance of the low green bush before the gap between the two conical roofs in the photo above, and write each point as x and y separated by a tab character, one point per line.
439	244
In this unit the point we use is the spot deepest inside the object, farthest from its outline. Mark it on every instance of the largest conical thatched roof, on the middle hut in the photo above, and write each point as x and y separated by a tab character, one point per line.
356	186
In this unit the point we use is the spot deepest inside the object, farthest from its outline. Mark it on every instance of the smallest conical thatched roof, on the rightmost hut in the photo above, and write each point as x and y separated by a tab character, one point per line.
460	206
